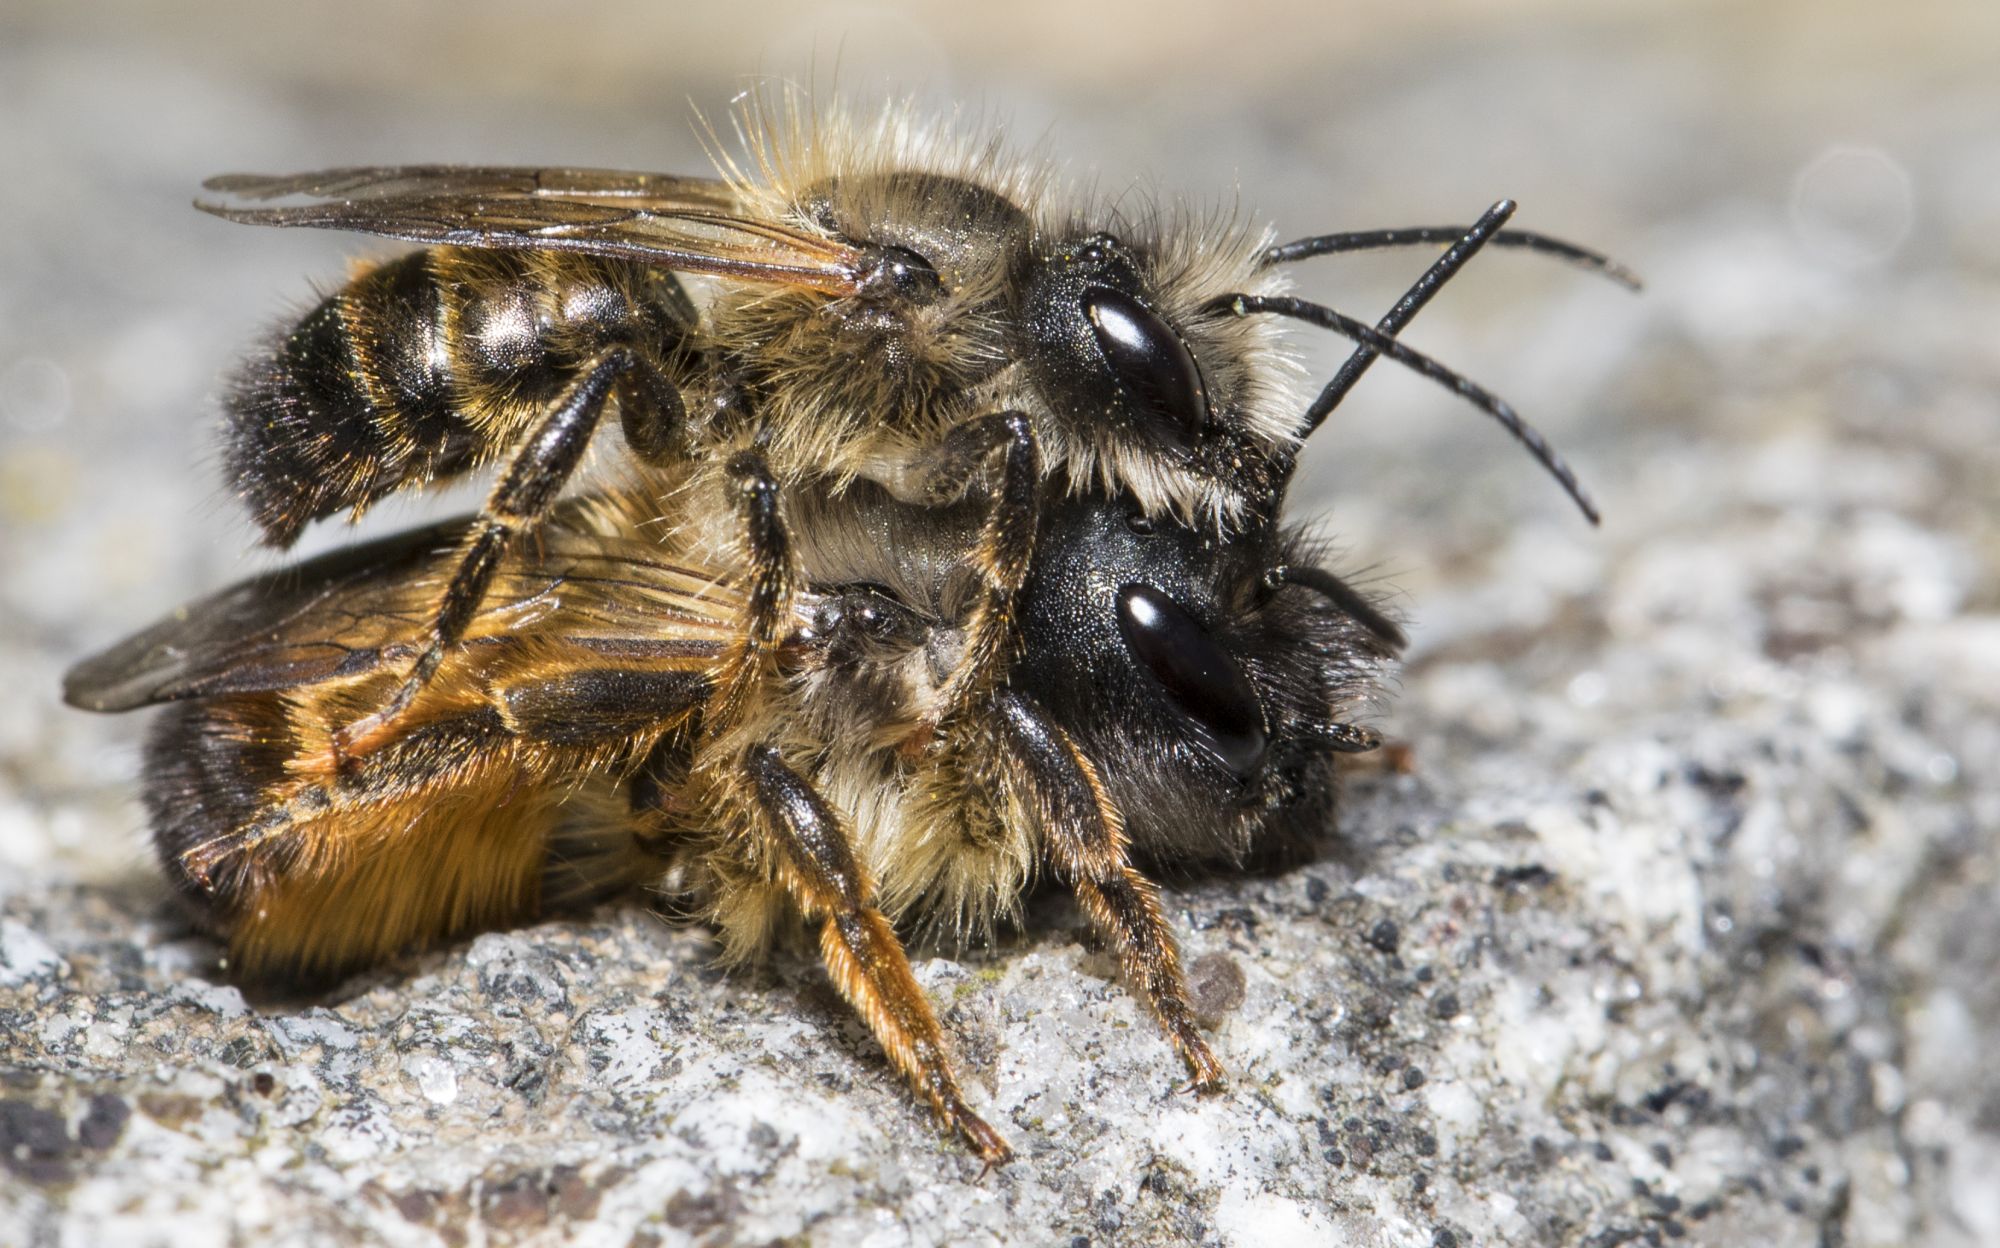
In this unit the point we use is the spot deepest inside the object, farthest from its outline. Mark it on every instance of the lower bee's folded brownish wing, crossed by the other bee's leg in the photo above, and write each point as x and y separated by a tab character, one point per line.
347	615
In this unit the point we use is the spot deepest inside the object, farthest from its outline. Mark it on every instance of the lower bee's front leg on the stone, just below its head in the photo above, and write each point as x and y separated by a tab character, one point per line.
1085	837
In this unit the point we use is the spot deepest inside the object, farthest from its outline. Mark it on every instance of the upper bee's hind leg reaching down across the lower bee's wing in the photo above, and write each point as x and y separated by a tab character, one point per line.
521	499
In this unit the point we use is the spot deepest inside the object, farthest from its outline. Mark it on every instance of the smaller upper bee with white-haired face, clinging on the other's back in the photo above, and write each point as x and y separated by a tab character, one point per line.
879	301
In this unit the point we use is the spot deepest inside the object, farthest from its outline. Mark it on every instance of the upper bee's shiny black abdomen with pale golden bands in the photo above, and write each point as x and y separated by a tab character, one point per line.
423	367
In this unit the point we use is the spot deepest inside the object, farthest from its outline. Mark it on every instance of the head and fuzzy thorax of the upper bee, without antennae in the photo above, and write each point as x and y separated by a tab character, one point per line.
975	303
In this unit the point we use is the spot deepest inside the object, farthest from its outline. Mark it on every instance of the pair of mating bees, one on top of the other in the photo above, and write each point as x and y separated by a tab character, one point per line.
949	551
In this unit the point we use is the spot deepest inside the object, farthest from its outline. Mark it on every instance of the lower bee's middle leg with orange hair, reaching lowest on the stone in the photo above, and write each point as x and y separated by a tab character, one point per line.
863	955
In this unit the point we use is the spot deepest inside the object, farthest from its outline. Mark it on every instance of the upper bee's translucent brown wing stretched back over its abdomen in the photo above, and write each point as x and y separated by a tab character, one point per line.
689	225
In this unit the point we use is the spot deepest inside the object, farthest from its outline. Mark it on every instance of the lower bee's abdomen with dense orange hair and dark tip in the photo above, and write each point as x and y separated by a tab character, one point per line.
455	833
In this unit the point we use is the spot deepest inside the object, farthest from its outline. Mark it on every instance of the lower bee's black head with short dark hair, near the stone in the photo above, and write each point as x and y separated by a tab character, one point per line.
1209	677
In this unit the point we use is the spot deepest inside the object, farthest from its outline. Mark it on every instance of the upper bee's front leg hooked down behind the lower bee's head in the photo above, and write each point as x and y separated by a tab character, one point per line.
1005	547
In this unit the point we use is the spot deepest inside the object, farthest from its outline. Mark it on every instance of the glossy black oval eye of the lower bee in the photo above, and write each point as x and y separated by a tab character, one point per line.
1195	673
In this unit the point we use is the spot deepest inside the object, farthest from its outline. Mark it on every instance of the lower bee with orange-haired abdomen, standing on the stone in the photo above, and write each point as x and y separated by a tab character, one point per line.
601	727
